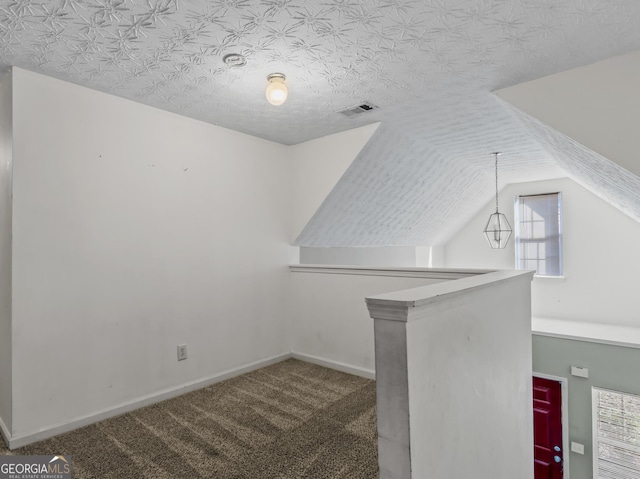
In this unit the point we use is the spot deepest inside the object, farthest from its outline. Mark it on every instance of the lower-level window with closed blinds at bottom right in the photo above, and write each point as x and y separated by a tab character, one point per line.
616	435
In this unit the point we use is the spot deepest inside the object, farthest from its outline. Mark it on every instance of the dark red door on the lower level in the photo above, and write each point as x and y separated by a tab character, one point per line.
547	428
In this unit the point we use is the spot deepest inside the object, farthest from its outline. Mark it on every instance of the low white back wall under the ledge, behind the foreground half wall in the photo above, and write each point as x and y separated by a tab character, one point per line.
330	320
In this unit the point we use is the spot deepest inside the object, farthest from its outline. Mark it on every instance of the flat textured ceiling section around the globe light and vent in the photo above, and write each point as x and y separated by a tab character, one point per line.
335	53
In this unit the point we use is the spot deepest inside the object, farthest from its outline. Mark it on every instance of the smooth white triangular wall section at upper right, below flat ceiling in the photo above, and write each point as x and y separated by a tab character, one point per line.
597	105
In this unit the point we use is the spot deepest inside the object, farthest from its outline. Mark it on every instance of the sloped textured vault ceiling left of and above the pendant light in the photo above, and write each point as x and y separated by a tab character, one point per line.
406	188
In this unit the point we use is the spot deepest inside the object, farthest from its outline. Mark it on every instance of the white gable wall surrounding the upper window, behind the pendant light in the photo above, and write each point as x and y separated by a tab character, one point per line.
600	256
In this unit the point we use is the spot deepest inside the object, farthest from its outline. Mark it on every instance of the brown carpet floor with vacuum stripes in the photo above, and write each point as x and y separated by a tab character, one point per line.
291	420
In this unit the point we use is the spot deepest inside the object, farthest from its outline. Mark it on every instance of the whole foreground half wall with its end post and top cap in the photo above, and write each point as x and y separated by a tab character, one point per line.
453	372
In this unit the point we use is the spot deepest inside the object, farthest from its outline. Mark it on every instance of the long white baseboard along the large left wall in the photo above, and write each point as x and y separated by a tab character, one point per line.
22	440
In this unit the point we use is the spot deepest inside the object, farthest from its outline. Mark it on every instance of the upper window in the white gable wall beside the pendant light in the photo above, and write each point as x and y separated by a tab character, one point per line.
539	233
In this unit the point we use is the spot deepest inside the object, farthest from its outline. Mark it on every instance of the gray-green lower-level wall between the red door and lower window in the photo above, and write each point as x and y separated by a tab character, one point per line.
610	367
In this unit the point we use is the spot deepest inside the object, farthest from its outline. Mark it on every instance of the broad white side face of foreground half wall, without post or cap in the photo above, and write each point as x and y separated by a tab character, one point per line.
477	384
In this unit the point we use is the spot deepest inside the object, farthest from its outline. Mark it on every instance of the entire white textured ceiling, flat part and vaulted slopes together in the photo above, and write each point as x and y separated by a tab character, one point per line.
429	65
